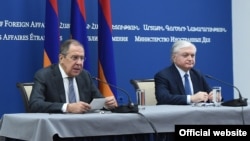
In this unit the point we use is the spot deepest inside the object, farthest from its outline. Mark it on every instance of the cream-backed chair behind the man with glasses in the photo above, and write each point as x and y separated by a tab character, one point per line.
25	89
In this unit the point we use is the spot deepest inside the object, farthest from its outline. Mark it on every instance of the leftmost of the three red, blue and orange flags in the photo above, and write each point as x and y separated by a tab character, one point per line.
52	41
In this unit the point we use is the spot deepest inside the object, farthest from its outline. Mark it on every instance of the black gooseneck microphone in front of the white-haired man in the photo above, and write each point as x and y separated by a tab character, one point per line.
235	102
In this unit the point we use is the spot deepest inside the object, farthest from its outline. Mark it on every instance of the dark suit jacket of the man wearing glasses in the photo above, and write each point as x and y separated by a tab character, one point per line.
48	94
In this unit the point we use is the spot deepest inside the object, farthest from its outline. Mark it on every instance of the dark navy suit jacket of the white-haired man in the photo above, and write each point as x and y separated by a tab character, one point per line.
169	88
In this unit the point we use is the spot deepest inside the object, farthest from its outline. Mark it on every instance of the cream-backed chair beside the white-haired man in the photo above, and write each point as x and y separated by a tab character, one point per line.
149	86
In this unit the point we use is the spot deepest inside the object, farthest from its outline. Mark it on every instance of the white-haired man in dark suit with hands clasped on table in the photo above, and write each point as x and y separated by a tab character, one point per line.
170	82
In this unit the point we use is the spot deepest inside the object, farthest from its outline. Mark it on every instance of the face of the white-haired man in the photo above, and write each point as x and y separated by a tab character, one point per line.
185	58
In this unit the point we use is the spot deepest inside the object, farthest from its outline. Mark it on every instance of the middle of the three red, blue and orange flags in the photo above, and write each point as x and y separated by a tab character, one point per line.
78	27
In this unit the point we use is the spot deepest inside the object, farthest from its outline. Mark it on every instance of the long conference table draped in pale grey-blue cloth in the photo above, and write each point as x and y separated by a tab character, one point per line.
150	119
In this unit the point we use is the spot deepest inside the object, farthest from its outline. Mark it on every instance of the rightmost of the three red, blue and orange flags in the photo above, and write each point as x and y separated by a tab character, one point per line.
106	65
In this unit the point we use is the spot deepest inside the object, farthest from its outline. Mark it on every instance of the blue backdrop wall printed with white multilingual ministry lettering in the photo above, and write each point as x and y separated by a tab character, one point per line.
143	32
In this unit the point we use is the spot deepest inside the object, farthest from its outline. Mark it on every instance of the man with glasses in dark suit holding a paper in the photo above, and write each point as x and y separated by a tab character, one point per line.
51	84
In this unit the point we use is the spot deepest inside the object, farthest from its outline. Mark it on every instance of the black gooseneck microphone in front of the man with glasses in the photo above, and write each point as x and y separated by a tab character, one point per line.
130	108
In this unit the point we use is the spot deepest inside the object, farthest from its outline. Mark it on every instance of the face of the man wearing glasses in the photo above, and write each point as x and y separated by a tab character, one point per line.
72	62
